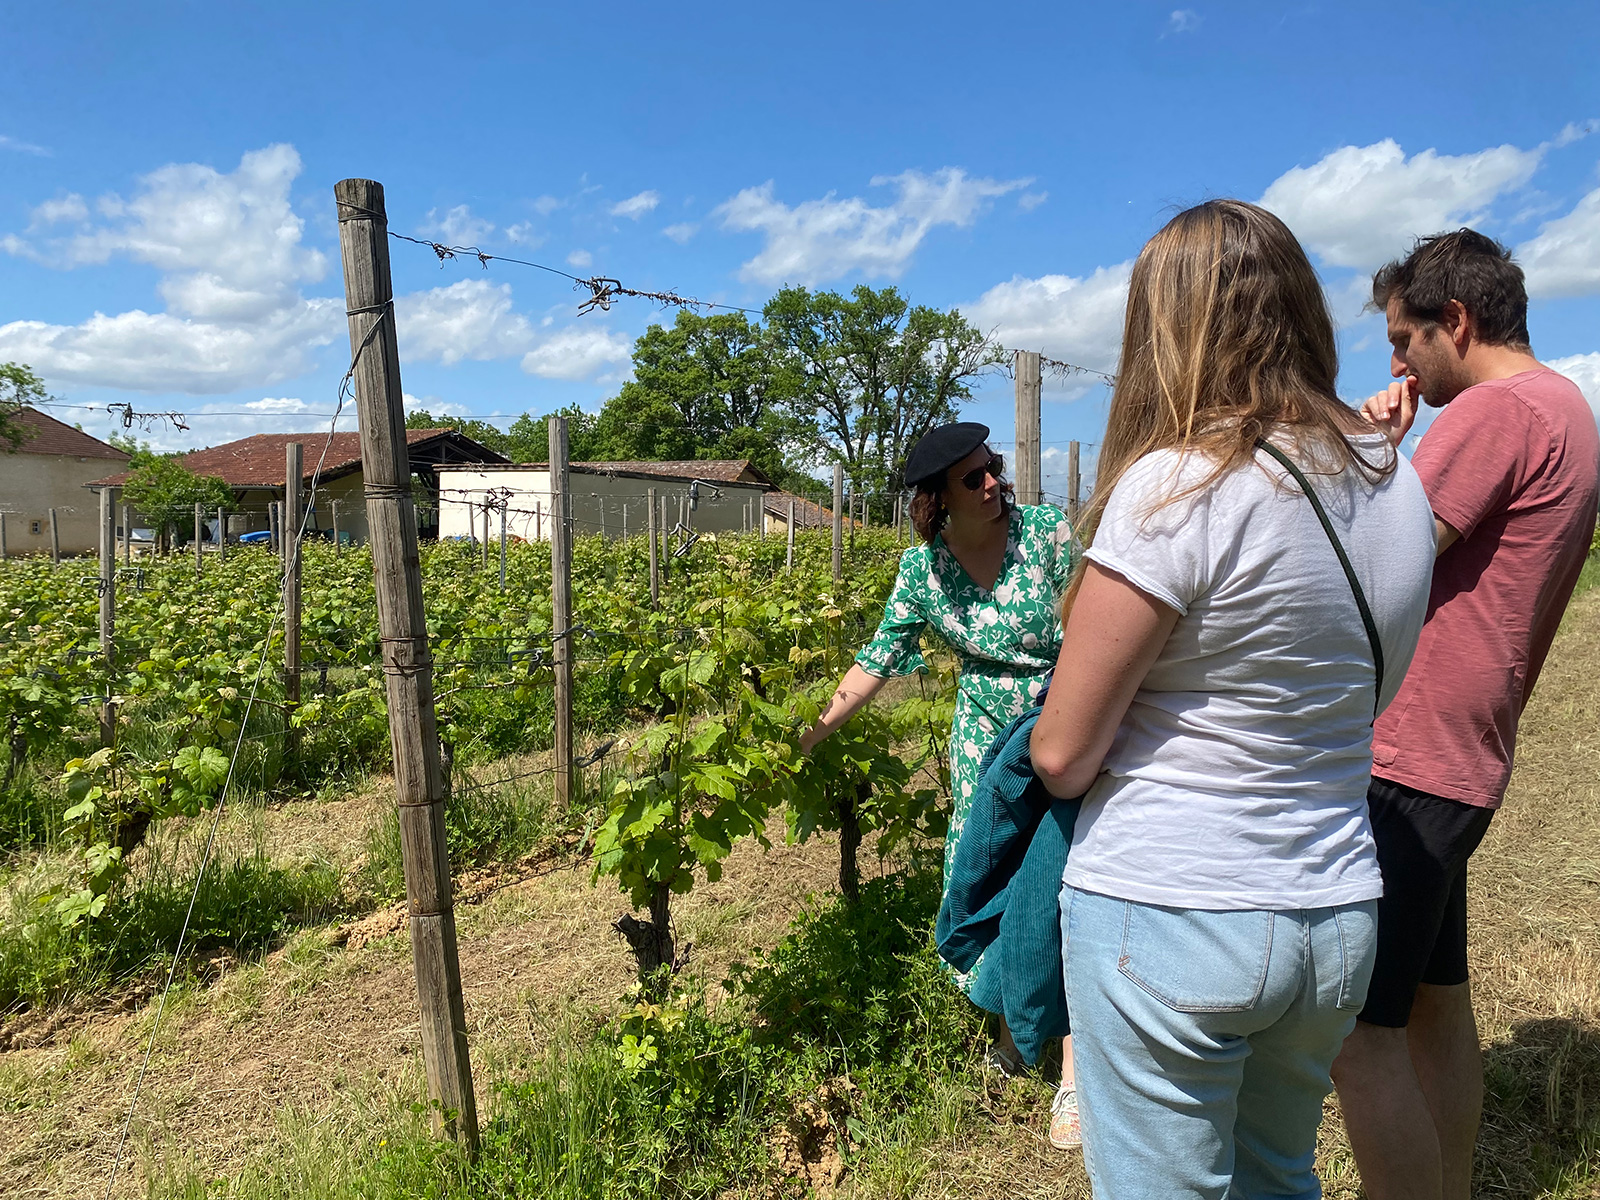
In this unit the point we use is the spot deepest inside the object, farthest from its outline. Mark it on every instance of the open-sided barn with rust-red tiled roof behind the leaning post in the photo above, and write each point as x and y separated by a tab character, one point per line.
254	468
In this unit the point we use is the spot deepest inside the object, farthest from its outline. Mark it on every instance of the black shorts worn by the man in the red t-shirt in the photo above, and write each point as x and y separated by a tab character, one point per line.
1423	849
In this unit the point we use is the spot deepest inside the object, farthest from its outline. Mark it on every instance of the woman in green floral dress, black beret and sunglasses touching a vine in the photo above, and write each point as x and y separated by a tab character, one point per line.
988	578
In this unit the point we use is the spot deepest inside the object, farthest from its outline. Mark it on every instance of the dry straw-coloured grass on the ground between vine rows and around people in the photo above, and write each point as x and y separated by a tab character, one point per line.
321	1026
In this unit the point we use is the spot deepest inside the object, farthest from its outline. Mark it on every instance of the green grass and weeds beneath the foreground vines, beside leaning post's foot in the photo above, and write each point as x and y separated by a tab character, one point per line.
844	1046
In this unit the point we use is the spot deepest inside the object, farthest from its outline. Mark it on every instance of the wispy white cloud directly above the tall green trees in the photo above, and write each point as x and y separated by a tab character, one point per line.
826	239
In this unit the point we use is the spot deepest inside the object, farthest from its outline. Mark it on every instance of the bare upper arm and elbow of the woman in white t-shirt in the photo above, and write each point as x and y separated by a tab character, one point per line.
1113	639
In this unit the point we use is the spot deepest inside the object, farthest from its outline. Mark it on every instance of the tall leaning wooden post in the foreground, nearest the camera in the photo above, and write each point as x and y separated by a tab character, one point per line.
409	666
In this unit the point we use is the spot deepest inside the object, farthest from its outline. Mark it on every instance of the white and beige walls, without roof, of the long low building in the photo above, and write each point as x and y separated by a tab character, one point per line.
601	503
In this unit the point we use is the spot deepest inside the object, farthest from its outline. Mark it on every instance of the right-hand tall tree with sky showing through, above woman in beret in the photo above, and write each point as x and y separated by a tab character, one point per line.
876	374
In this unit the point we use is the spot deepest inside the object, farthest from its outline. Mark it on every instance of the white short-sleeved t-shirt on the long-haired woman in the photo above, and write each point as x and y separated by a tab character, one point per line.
1239	777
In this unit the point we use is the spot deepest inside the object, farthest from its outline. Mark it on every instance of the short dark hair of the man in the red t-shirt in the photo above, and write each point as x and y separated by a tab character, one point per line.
1465	266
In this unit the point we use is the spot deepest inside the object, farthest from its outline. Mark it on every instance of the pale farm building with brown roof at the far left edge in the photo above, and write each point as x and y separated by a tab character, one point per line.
49	471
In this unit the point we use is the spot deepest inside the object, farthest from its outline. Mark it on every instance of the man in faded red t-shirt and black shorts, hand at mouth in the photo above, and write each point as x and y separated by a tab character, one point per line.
1511	473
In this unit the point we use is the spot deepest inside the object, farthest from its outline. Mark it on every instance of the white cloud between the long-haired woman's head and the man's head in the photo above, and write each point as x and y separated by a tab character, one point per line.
1361	206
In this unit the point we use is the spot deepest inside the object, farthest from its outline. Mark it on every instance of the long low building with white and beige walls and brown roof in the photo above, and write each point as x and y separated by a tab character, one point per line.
716	497
